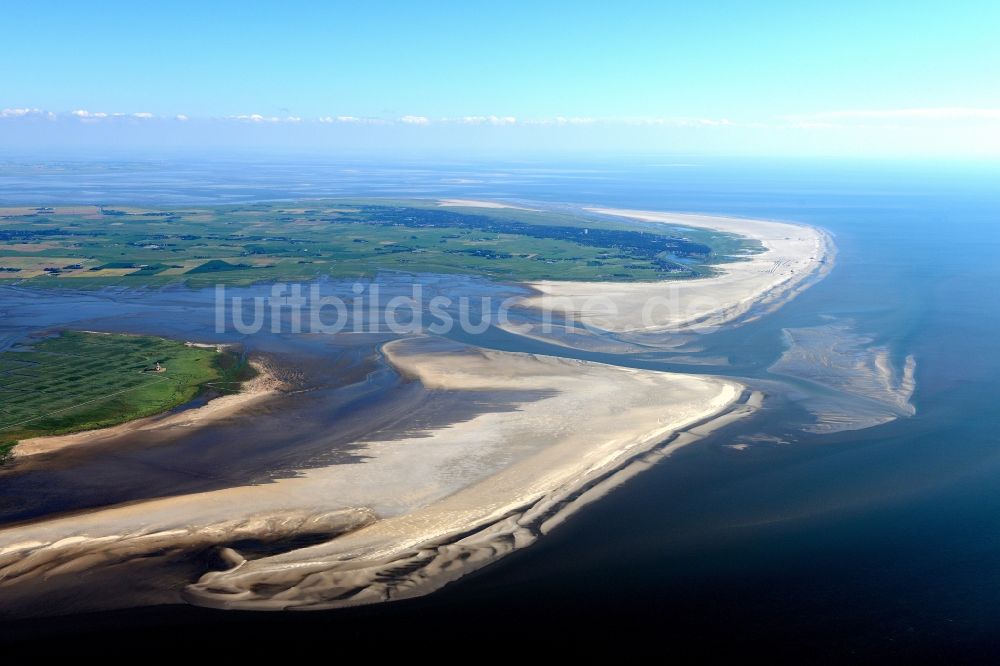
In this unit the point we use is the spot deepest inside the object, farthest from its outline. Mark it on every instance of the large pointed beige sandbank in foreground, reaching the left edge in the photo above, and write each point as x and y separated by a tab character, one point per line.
448	500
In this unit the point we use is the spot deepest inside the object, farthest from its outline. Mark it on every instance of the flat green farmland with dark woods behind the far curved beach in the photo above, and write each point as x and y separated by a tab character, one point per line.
98	246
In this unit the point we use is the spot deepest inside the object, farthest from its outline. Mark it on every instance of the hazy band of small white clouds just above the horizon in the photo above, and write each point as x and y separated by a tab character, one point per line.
941	131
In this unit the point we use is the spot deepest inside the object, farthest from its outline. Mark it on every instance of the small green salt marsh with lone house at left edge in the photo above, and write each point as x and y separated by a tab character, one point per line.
82	381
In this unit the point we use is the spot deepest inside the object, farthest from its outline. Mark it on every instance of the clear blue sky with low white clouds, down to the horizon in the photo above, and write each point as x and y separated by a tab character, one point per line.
744	77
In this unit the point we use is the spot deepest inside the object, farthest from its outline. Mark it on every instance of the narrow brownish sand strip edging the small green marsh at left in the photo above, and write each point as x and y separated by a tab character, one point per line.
258	389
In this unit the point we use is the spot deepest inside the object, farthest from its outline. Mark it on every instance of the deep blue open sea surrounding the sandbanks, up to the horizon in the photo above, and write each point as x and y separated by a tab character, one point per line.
876	542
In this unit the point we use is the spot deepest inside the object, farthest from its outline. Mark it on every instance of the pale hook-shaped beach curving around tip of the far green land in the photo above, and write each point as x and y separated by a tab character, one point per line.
795	257
